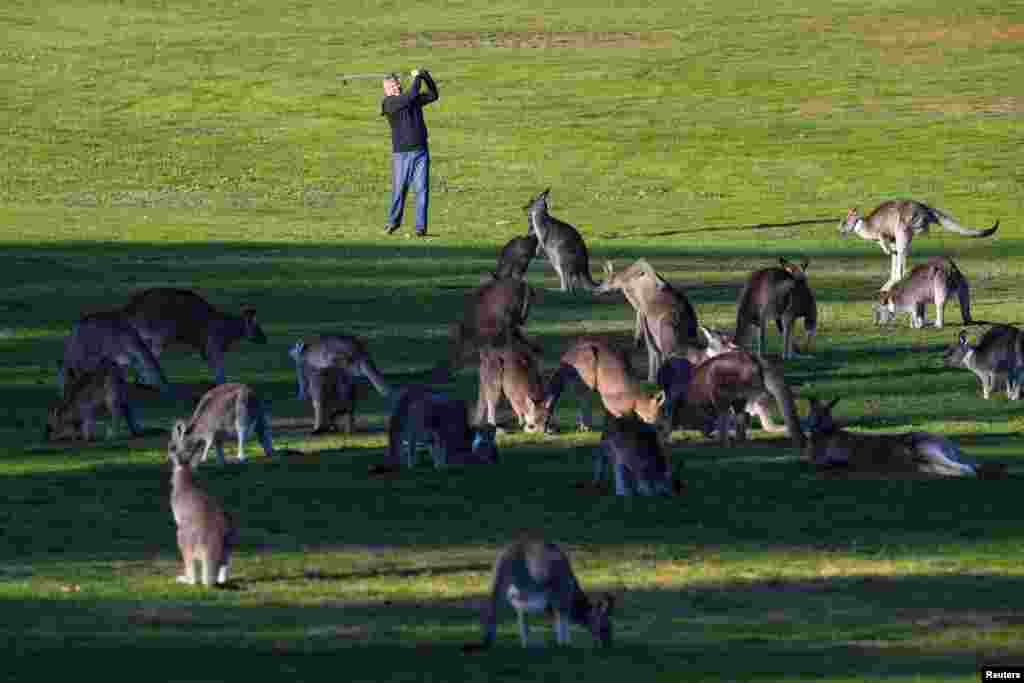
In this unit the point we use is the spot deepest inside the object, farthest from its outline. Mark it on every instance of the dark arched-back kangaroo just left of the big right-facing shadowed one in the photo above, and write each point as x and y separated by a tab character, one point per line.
99	338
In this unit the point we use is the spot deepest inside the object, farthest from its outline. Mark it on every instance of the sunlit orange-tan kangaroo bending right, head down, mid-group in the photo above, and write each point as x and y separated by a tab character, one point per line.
605	369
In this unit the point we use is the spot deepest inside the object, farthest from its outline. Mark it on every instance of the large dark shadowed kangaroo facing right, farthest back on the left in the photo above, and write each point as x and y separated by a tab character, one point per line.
166	317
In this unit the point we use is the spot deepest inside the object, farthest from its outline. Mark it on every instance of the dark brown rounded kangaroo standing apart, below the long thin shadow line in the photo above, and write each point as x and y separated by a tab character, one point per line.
780	293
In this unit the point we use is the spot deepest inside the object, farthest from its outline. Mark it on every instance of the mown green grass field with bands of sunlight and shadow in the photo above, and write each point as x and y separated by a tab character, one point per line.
216	146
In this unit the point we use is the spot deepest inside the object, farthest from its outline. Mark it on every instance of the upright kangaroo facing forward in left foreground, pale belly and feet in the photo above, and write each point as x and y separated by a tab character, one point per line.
206	534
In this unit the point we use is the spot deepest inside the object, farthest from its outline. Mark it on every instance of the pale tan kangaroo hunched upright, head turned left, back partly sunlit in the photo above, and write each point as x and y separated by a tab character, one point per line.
666	320
